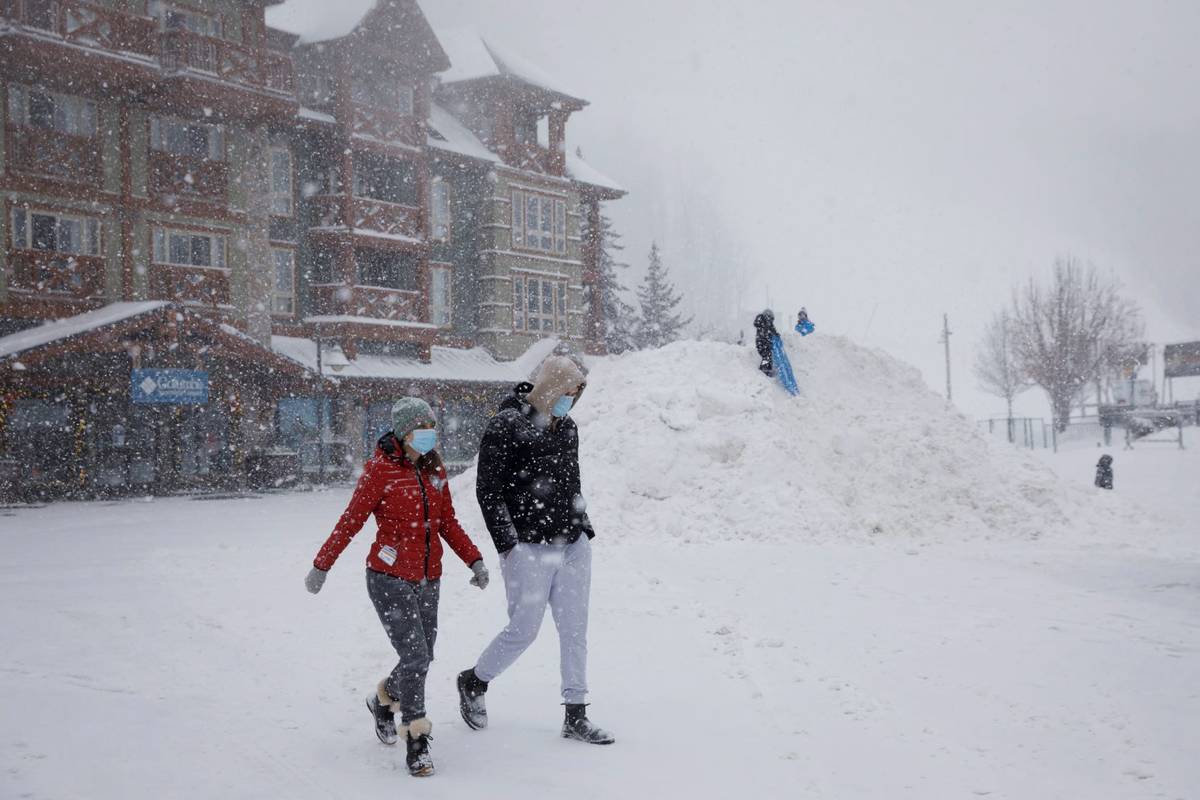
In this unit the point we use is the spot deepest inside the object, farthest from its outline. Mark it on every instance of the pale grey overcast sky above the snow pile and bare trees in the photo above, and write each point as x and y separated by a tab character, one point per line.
884	164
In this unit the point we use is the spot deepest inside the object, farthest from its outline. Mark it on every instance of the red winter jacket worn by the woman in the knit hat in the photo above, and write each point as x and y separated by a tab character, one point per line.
413	513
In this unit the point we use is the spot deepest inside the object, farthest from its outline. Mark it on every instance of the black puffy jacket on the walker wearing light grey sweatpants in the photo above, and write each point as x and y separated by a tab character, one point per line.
529	483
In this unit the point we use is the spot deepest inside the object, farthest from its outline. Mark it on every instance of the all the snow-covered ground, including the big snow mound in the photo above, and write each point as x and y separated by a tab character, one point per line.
847	596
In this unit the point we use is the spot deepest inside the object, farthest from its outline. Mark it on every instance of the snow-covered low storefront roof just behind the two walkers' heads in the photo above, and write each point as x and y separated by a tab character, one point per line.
476	365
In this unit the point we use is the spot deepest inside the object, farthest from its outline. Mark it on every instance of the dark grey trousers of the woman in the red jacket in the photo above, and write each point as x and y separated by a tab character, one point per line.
410	613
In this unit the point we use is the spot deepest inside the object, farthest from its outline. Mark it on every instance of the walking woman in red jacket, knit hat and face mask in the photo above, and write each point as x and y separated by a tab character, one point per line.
405	486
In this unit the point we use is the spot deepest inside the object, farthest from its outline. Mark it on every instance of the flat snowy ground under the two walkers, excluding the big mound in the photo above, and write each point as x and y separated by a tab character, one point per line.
169	649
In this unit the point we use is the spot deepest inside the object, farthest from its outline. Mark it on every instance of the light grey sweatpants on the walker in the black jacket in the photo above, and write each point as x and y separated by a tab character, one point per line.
537	576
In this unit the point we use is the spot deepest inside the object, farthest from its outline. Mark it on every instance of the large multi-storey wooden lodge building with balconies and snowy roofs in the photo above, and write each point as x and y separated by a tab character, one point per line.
235	231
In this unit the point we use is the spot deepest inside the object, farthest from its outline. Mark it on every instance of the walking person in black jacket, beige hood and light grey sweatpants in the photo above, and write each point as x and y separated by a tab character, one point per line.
529	489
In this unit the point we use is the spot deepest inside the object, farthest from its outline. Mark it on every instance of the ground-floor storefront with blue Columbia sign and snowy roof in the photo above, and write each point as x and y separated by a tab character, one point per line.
152	399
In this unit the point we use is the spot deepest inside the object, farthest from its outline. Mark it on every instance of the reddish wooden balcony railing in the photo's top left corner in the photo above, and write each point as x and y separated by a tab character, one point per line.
87	25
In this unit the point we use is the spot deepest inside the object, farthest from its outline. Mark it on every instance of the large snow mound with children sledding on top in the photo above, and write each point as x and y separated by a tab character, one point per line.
693	443
